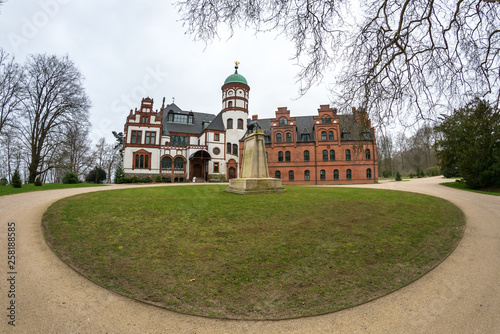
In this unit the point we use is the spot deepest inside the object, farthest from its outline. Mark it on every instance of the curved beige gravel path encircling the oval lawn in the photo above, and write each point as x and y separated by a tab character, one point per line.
462	295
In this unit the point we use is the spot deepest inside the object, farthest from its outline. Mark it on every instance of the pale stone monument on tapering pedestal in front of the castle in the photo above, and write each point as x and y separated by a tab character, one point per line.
254	177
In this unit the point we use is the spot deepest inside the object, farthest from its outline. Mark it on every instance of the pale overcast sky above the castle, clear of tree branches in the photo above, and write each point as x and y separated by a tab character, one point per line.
129	50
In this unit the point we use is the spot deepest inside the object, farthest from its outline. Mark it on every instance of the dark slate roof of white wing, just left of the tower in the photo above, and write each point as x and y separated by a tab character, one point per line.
198	121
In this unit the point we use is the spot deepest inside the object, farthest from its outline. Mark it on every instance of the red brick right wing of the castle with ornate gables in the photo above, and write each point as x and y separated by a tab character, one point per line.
324	149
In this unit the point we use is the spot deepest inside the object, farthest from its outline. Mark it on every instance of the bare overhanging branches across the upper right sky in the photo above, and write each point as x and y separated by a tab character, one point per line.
395	56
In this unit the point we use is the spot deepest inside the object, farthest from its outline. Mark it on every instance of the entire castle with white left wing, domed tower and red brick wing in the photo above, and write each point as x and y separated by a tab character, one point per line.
185	146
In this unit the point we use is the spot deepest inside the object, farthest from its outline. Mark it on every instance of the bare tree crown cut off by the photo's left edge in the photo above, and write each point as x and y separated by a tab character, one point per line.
10	88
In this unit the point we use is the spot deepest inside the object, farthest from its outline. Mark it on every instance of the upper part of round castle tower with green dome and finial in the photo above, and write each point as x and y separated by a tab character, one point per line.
235	92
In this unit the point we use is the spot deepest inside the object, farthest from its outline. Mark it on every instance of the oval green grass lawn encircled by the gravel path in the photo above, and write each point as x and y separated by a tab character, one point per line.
200	250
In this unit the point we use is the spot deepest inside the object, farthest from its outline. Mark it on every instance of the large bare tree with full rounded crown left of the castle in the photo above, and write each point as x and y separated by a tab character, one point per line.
54	98
